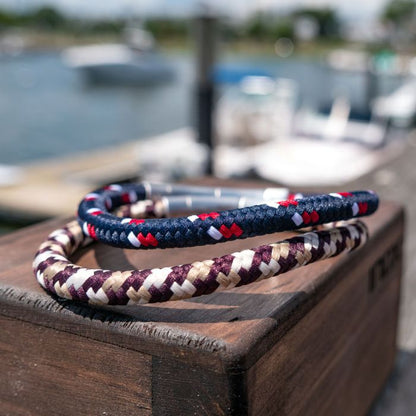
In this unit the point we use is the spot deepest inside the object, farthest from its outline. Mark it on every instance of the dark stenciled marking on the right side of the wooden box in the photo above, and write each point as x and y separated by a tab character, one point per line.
381	270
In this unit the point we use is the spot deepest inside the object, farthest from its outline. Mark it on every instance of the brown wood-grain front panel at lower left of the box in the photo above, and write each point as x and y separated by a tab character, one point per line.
49	372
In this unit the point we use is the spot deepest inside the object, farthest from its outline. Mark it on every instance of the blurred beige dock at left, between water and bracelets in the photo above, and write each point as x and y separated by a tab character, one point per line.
53	187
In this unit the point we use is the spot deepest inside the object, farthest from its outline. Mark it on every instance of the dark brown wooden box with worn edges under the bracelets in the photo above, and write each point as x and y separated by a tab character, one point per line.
316	341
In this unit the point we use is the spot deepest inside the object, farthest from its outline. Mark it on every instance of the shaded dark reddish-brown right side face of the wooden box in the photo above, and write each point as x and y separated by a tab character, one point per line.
350	332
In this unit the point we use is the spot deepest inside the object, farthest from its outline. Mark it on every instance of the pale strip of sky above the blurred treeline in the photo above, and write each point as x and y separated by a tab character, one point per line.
362	9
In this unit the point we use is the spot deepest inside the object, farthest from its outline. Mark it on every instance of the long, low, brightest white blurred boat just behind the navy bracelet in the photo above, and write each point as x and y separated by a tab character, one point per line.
302	162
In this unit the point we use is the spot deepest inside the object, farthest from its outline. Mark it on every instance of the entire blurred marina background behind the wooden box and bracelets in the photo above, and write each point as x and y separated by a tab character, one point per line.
309	94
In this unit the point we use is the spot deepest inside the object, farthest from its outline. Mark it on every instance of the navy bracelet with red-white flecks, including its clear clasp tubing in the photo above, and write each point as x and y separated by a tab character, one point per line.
212	227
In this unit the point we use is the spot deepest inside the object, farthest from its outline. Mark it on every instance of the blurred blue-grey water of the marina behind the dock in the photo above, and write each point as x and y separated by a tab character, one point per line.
47	110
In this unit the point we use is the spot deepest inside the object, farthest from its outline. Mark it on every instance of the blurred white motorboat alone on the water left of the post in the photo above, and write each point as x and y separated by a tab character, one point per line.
133	63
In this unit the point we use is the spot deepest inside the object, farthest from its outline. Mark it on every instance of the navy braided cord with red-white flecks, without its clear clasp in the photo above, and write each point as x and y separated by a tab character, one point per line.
213	227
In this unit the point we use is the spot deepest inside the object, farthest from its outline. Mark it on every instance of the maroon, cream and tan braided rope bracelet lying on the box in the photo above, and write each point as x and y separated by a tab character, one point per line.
58	275
